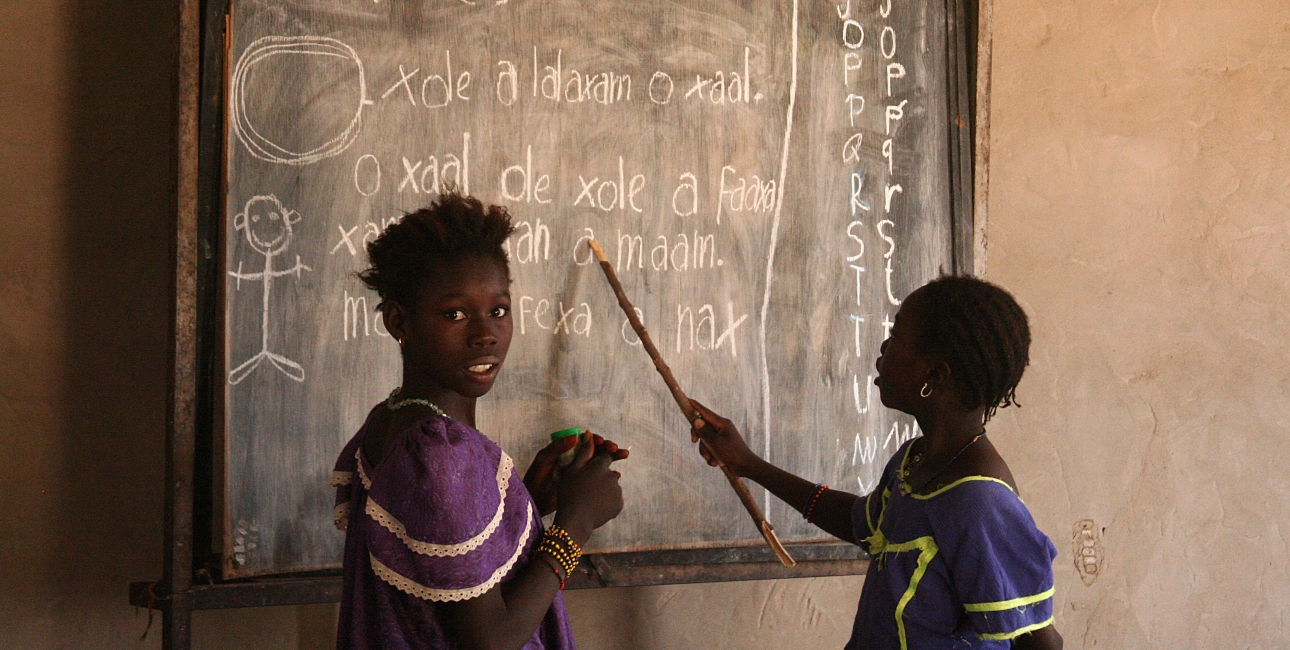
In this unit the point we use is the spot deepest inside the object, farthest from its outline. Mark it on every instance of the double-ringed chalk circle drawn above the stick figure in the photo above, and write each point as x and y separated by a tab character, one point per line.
268	48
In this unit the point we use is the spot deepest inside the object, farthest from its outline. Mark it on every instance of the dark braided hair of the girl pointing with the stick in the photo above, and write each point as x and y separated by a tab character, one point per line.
980	331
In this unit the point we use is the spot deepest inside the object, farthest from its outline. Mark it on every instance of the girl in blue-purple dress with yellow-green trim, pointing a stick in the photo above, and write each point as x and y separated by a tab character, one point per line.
958	562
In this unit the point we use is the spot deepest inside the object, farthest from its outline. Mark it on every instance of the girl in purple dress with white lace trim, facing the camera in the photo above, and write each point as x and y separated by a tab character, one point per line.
444	544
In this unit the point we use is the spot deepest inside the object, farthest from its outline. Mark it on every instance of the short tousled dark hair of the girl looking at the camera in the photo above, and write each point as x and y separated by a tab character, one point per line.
412	250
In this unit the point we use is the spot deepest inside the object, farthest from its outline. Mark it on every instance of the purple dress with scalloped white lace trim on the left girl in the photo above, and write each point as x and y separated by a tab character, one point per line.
443	518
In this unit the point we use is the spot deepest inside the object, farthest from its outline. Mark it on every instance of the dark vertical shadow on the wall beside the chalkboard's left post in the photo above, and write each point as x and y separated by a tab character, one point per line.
117	217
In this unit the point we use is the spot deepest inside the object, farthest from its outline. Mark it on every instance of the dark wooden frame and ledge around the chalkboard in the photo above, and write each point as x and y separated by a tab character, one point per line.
192	577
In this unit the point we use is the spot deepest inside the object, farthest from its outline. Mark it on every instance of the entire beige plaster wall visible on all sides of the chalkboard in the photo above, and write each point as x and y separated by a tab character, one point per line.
1140	208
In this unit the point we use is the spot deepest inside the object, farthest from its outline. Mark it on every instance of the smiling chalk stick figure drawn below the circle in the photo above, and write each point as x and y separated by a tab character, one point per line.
269	231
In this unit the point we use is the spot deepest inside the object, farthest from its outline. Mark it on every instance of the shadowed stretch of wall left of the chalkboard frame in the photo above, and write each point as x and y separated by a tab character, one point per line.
84	113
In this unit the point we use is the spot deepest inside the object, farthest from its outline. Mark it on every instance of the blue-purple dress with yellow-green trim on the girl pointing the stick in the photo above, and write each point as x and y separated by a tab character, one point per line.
962	568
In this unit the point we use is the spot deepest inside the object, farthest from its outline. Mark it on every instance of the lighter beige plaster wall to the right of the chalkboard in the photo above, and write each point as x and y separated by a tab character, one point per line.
1140	207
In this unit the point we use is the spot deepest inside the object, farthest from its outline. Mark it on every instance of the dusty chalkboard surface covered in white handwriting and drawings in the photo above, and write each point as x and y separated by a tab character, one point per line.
769	180
